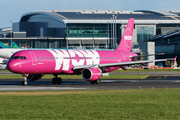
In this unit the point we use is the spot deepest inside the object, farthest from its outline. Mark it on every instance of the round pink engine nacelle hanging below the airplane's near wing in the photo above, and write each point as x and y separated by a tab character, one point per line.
91	73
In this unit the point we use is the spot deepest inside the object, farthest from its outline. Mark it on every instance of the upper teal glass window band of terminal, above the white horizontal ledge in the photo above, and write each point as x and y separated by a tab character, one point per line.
87	30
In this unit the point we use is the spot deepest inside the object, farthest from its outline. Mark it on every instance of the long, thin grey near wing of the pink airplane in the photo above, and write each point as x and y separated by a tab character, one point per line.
119	64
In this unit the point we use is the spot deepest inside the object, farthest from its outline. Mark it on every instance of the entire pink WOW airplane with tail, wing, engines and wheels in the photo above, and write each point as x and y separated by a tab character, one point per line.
92	64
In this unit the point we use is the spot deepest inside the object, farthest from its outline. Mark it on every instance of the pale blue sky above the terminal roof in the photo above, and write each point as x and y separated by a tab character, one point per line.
12	10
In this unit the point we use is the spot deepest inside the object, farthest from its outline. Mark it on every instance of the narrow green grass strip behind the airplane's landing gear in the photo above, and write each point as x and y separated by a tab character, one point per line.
78	77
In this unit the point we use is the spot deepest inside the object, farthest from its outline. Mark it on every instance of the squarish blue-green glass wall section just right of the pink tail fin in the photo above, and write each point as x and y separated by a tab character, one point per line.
144	33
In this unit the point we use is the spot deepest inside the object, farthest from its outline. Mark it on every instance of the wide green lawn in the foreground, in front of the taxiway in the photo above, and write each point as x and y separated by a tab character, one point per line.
139	104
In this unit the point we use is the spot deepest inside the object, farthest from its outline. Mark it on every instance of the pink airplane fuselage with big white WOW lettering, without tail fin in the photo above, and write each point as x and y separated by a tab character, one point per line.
63	61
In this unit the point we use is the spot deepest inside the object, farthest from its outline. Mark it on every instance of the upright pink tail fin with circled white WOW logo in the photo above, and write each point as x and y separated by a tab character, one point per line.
126	40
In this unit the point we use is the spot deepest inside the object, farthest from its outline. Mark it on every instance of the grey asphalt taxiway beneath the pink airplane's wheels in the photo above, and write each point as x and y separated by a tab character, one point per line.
164	80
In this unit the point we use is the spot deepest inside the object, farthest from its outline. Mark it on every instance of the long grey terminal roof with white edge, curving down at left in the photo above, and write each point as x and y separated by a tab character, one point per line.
100	16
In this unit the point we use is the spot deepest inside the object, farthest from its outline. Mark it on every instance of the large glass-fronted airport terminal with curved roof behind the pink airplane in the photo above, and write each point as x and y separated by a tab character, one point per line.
154	31
